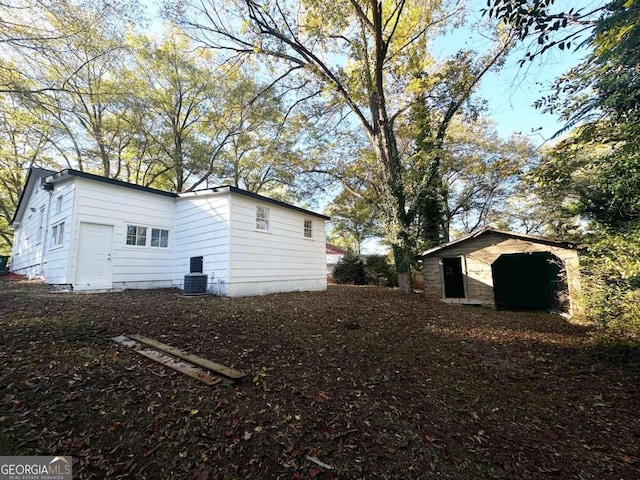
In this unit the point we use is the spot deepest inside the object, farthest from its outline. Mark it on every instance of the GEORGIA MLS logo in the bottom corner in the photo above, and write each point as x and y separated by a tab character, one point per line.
36	468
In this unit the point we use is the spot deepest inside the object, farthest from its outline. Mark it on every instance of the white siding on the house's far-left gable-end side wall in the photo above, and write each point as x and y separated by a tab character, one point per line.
28	252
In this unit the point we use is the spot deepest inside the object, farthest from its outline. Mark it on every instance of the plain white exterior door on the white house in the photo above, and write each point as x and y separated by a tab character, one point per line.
95	263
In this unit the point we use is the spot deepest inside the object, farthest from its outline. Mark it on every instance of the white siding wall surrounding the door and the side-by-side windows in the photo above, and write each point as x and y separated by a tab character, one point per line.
105	204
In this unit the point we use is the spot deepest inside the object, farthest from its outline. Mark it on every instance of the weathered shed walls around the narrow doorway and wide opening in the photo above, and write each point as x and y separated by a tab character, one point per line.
479	253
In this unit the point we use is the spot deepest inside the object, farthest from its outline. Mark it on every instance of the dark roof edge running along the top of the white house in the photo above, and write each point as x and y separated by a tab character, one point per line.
52	177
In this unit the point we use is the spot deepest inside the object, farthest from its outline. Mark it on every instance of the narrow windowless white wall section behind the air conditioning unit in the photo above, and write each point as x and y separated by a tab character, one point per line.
202	229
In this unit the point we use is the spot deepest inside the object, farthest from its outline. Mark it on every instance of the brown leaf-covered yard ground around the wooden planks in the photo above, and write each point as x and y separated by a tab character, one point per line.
364	380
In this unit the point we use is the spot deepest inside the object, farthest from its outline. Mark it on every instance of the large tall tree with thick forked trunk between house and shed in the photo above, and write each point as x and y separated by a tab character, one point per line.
368	56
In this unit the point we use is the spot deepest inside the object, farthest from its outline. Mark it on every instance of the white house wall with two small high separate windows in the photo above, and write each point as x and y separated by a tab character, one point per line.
280	260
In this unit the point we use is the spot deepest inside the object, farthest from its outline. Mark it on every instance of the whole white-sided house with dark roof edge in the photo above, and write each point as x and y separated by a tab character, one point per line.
86	232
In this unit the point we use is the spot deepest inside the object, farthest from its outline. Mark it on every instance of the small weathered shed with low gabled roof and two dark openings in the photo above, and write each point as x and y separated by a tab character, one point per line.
504	270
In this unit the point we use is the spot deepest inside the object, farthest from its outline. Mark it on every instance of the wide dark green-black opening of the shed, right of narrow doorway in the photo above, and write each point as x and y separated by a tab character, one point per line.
526	280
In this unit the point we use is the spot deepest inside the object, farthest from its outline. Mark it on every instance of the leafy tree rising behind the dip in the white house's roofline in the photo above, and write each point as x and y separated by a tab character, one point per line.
180	110
